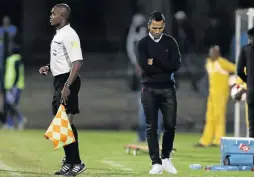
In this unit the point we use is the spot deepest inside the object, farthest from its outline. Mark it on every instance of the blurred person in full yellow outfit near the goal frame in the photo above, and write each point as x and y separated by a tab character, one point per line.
218	69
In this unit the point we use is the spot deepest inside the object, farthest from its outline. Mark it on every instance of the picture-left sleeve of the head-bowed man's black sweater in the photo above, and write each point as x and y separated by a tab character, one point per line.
143	59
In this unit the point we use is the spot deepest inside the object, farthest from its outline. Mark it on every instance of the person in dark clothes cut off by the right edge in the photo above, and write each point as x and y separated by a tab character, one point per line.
246	59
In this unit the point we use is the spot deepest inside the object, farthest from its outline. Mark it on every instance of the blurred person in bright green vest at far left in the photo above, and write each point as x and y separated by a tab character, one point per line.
14	85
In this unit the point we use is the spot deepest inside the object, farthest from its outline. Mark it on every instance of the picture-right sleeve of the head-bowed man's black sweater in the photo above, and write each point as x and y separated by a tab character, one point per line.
173	62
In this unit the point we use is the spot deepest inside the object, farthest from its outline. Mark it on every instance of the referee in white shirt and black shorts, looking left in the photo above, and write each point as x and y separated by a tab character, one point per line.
65	62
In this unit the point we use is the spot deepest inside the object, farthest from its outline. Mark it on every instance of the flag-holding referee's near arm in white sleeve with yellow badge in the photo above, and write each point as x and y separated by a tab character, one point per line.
73	48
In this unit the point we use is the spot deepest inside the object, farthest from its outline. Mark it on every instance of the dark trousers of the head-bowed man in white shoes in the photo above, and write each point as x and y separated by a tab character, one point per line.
164	99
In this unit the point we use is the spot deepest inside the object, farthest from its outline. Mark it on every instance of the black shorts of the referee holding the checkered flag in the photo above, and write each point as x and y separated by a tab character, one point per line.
72	105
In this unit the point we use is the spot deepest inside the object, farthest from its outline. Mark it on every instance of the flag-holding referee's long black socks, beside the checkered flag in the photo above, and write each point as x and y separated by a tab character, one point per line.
72	150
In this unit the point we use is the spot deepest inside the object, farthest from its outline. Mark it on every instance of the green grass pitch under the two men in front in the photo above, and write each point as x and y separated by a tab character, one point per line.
32	156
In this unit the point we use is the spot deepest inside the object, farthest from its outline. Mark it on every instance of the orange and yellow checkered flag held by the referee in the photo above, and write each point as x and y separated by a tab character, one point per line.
60	131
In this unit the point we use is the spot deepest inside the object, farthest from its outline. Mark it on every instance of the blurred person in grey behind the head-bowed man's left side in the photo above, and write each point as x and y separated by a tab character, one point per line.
138	29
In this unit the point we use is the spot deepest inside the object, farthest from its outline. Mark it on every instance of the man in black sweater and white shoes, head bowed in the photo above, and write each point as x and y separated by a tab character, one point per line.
159	58
